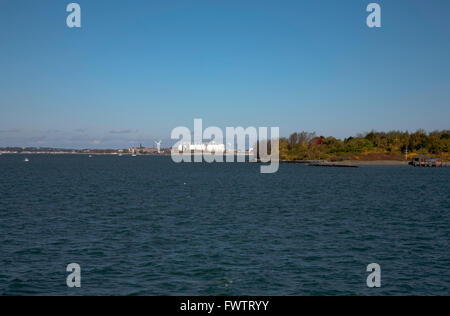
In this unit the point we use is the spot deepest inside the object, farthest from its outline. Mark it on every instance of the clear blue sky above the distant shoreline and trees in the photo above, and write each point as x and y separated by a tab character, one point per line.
137	69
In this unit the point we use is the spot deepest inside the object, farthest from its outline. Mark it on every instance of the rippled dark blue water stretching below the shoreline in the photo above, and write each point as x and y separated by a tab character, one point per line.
147	226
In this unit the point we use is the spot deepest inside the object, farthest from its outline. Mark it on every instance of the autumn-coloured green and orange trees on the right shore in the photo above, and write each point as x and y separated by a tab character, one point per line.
372	145
